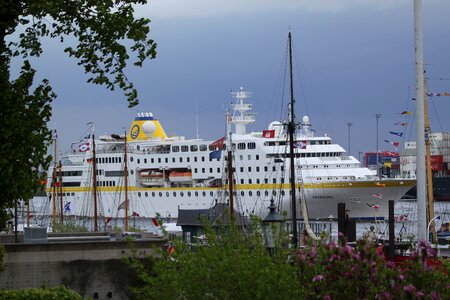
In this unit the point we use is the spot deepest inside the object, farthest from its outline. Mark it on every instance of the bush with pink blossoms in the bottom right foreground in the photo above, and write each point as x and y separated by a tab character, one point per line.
339	271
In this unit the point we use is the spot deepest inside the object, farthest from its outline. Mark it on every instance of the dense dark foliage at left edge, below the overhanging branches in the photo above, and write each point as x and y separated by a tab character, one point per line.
24	136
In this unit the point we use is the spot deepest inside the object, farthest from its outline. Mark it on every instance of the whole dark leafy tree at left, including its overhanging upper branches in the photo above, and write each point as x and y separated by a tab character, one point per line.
106	34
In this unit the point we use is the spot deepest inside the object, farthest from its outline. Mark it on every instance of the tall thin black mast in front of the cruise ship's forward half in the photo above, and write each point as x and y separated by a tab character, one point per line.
291	129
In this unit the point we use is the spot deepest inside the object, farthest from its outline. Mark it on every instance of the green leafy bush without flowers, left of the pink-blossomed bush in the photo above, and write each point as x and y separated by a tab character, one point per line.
233	265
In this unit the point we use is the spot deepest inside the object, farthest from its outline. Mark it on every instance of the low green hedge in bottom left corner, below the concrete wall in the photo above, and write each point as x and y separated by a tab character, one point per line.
56	293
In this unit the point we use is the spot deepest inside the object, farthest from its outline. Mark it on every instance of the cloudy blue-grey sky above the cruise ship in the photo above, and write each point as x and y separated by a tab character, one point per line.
352	60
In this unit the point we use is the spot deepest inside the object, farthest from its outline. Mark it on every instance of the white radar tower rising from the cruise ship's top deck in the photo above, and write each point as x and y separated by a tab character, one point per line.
244	118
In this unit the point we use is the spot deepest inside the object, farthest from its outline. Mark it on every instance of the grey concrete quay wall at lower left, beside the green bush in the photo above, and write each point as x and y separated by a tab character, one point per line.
92	268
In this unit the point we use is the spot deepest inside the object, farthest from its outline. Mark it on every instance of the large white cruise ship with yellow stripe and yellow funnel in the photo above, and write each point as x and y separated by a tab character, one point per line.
166	174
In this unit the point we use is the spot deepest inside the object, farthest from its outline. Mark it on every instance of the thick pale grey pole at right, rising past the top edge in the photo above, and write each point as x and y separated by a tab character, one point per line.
420	124
